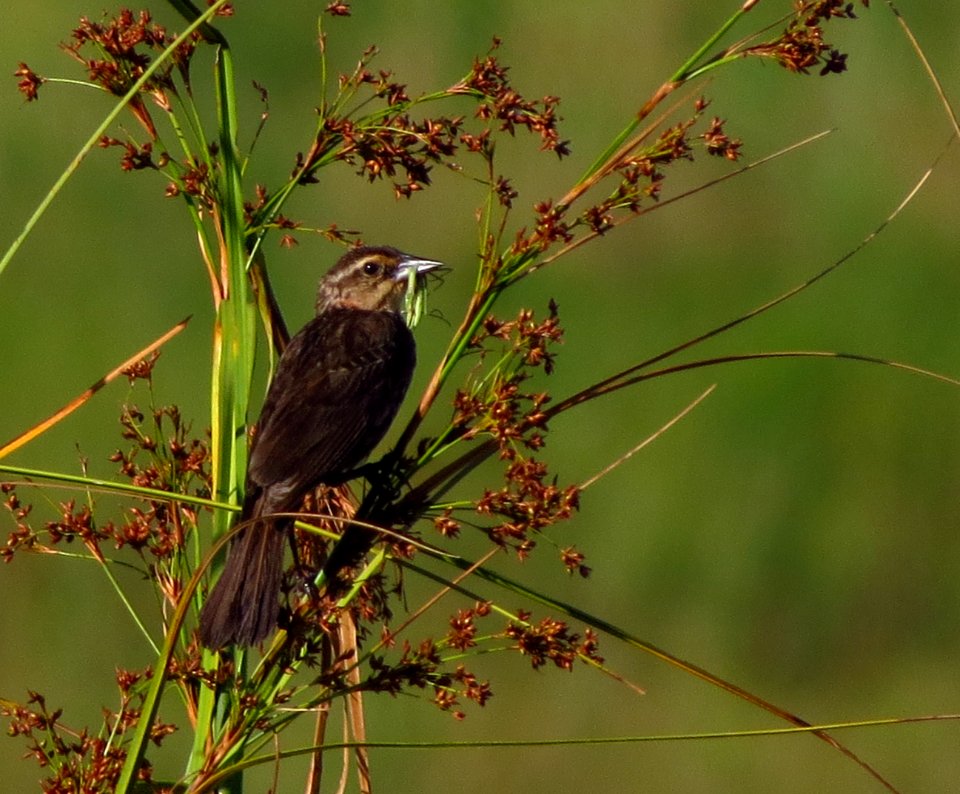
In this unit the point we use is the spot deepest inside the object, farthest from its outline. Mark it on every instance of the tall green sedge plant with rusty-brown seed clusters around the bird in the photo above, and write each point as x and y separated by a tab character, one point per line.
328	649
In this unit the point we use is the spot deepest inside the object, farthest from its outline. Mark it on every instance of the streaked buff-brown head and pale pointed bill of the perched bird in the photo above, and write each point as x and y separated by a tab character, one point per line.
372	279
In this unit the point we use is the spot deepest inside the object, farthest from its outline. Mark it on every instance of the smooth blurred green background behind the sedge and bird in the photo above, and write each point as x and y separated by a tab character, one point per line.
798	534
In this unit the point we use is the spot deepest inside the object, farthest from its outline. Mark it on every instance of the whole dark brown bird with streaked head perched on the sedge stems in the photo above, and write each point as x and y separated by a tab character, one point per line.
336	390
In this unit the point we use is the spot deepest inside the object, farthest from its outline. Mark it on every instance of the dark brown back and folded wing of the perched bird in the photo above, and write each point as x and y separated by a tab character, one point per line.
336	390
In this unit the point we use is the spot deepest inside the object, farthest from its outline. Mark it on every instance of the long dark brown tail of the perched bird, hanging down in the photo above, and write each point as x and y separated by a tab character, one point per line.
243	606
